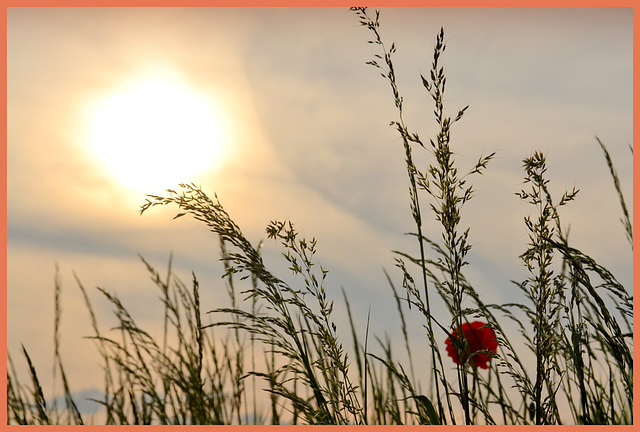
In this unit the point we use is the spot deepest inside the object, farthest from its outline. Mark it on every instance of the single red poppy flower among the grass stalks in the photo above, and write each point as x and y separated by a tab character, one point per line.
480	338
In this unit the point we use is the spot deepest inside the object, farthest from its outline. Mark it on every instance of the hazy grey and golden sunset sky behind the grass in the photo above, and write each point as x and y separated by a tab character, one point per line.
300	128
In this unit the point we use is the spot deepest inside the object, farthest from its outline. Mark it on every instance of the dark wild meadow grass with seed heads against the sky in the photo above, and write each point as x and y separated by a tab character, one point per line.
275	355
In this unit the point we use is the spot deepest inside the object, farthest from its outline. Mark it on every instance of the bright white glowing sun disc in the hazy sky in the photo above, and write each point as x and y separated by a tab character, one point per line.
155	132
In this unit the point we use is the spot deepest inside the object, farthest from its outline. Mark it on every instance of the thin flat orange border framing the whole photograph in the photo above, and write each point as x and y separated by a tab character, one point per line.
290	3
